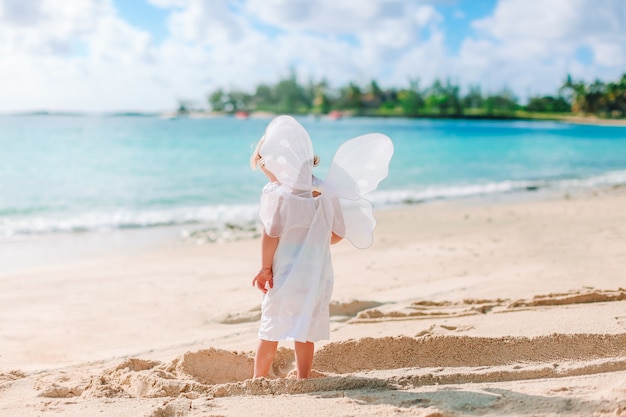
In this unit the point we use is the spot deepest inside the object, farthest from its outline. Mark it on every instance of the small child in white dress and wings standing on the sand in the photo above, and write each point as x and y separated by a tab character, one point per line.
302	216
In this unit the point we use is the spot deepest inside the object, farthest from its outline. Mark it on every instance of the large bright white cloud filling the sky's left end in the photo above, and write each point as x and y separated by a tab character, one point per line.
75	55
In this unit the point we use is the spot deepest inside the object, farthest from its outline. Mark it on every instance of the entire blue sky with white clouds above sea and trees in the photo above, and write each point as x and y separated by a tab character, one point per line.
146	55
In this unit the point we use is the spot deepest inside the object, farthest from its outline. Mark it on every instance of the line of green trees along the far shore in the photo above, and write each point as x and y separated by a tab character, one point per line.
441	99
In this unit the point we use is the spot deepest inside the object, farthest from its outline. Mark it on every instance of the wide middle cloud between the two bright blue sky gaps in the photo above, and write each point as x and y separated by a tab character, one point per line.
340	41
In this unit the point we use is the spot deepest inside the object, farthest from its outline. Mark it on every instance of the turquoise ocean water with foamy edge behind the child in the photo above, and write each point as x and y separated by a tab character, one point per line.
90	174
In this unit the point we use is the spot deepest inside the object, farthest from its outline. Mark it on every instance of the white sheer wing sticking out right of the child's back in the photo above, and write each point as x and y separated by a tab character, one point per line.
357	168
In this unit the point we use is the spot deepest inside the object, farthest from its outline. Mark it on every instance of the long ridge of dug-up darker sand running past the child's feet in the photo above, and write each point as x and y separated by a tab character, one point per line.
367	363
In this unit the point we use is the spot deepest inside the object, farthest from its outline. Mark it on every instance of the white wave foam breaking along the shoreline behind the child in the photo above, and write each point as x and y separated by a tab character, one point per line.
220	215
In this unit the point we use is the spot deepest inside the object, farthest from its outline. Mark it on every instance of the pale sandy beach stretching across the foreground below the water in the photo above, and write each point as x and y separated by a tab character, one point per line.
513	306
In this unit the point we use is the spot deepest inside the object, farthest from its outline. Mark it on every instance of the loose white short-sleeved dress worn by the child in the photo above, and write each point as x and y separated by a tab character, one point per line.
296	308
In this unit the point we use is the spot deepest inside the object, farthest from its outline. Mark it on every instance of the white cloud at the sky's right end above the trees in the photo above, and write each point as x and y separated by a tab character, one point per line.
531	47
